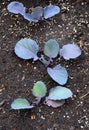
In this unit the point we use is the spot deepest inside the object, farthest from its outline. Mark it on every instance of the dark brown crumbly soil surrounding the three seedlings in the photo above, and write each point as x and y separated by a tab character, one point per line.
17	76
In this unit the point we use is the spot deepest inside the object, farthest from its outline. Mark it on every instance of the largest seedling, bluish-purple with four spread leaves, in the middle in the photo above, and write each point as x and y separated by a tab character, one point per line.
27	48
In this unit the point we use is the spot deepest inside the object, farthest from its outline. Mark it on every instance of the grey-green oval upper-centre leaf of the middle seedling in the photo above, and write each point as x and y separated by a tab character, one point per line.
51	48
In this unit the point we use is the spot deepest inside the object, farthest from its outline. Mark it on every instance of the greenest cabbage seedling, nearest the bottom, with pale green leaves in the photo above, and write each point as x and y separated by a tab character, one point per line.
56	98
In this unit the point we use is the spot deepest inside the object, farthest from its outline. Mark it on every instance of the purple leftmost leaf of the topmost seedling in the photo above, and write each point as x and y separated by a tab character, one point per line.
16	8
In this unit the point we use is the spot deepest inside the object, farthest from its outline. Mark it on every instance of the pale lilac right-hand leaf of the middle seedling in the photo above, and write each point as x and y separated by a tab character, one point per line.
70	51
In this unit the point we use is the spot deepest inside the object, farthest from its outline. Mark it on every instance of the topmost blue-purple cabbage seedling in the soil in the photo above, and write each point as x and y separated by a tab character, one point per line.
37	14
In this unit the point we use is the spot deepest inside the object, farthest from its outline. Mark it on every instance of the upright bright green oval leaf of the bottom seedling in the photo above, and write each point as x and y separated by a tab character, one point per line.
39	89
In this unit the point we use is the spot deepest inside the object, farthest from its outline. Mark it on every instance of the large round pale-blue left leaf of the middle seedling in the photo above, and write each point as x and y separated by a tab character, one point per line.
27	48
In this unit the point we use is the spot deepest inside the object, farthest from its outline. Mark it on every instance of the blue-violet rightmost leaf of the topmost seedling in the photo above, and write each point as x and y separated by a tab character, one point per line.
50	11
